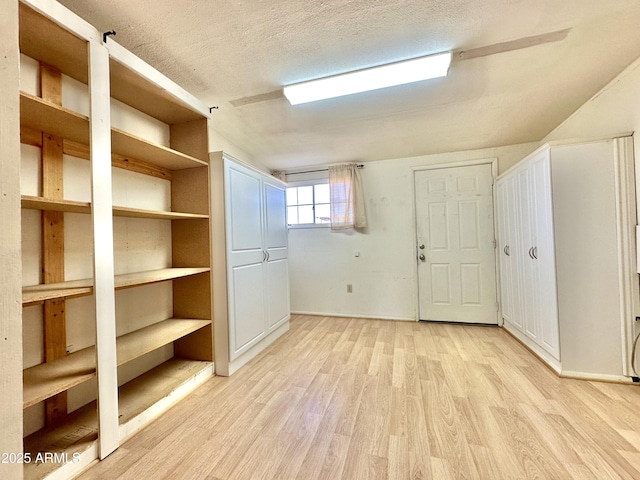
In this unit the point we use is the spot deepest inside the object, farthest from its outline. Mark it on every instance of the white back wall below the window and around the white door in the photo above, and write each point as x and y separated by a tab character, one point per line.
322	262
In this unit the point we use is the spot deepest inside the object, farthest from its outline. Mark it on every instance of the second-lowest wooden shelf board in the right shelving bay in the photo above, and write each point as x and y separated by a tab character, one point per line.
140	342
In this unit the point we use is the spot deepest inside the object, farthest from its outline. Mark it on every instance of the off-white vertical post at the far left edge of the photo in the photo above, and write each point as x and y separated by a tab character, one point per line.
10	265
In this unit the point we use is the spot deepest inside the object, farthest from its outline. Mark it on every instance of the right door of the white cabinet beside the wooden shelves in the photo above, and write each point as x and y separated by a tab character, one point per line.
276	246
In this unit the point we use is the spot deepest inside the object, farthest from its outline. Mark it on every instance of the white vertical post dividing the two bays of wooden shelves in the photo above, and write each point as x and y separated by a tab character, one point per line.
103	270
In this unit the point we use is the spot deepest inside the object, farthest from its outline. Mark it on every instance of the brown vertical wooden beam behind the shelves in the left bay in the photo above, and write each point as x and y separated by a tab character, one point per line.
55	332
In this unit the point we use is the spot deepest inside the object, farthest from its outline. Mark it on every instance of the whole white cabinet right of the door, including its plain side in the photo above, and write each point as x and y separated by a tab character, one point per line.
565	241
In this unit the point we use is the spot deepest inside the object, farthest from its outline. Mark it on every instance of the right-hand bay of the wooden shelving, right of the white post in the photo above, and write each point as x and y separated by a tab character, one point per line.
184	163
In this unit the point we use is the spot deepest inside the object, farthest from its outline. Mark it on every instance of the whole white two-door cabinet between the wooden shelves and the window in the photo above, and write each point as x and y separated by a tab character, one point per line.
250	235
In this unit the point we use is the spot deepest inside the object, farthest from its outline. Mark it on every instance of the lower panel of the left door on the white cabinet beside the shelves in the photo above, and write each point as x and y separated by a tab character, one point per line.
247	307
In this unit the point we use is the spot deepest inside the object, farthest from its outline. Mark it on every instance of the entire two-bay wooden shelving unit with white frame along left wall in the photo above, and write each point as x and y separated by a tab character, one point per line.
117	295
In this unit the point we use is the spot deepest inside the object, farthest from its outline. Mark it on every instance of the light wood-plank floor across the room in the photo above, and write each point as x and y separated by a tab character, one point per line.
356	399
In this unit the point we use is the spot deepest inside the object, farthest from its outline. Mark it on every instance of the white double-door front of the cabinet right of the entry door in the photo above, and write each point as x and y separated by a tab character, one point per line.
527	266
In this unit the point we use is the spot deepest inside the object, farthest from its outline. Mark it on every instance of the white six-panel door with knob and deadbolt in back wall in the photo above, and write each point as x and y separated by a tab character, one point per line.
456	244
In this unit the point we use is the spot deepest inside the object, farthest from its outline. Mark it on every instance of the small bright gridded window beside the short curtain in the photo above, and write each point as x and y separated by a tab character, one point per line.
308	205
